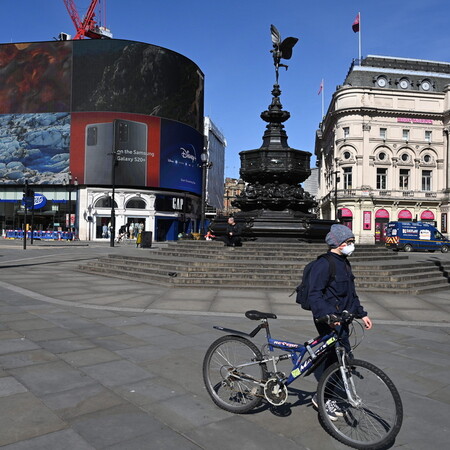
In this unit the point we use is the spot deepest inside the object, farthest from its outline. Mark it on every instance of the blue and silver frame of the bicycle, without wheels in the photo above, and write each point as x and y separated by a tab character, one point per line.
315	348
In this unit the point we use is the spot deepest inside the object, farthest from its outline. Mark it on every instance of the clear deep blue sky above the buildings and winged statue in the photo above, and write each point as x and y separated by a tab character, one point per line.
230	42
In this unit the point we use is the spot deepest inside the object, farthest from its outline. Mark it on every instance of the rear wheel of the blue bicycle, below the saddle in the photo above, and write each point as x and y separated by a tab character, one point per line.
221	360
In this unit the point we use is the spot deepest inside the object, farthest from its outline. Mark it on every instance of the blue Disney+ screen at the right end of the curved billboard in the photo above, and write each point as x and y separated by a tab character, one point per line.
180	163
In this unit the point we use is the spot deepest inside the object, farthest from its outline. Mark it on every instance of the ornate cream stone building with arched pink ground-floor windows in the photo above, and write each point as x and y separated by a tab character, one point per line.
383	149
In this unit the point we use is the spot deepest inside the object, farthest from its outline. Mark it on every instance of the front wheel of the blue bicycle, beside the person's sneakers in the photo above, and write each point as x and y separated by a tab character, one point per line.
376	421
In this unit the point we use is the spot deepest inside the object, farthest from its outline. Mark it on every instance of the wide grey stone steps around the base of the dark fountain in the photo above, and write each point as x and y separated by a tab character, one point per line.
376	271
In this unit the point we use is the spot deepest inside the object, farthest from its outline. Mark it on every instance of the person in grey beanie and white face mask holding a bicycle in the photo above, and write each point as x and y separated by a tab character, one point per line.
332	296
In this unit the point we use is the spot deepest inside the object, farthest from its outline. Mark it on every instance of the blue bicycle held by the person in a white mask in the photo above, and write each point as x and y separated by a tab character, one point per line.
238	379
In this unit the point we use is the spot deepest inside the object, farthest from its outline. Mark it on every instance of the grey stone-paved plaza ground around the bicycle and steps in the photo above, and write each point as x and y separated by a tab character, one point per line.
92	362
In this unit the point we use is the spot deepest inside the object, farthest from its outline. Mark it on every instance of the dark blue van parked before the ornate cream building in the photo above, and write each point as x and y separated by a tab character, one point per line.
410	236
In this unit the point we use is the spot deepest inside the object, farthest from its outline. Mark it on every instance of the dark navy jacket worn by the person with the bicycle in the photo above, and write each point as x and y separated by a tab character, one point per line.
340	295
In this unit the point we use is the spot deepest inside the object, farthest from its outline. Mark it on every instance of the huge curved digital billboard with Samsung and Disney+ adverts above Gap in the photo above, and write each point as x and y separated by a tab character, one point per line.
69	105
